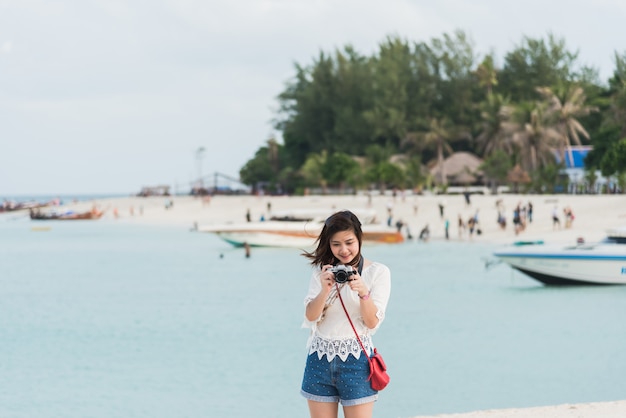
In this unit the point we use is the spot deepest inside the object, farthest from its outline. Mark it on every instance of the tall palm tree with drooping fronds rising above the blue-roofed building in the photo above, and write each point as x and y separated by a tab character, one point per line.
564	111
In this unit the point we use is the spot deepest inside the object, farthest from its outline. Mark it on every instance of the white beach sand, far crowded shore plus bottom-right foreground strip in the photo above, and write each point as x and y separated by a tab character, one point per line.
593	215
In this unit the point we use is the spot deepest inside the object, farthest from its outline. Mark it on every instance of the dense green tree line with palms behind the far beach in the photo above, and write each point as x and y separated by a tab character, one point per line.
349	120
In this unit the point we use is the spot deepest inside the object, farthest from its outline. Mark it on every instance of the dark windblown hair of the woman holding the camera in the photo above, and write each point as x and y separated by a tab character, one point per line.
337	222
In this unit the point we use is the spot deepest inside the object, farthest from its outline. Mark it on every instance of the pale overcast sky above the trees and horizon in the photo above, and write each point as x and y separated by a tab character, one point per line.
108	96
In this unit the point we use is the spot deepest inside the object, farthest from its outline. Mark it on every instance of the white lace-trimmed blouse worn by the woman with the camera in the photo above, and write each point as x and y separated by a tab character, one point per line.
331	333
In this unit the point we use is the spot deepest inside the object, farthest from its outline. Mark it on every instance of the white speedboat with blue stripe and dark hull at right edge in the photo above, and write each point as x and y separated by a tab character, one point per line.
599	263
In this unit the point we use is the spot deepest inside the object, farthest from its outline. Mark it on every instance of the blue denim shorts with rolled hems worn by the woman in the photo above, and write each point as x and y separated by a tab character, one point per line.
338	381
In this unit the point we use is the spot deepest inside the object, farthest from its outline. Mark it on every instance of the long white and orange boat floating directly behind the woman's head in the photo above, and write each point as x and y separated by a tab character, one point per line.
297	229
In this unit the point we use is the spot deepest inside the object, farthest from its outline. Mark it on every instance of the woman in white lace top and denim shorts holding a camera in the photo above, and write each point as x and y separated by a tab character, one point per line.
337	370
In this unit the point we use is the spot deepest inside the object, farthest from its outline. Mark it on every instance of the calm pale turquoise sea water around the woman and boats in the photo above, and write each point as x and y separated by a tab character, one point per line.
105	319
